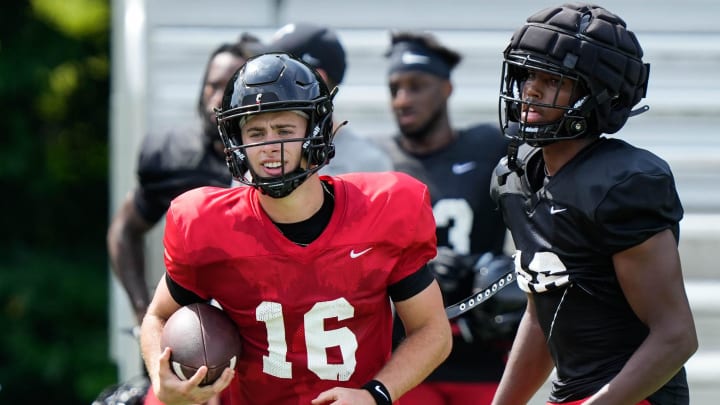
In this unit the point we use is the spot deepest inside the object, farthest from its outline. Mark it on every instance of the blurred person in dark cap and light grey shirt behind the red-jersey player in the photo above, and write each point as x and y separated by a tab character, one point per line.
320	47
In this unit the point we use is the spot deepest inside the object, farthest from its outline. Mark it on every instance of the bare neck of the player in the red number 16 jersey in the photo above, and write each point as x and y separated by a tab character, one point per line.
300	205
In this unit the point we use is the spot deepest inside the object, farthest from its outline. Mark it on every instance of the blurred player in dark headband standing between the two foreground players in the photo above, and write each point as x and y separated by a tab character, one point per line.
456	164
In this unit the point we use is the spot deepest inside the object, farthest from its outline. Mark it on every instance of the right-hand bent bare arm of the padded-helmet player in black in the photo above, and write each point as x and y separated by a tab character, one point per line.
651	278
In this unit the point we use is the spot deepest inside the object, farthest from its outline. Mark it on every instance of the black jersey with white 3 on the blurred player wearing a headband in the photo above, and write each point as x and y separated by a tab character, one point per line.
468	221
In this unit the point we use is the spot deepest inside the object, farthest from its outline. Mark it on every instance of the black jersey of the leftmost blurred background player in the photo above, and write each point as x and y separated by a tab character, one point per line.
171	163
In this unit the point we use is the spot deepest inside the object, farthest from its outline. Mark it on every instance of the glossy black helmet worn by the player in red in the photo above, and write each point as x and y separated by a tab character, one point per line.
273	82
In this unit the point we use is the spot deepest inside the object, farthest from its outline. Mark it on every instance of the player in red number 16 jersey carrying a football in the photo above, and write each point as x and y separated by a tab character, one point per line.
306	265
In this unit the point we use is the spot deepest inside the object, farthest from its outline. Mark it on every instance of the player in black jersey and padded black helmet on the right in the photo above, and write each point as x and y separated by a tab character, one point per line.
595	220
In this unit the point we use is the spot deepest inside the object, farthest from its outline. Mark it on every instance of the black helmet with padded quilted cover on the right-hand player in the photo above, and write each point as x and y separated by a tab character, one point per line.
583	43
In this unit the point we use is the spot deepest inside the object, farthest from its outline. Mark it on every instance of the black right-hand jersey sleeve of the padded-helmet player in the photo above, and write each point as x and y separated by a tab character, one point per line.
638	208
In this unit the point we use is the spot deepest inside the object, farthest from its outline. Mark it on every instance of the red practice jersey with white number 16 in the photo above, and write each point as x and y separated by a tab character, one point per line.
314	317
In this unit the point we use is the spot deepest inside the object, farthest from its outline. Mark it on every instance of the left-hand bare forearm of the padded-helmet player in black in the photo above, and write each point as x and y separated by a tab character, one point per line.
529	364
